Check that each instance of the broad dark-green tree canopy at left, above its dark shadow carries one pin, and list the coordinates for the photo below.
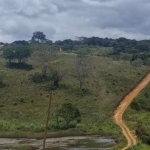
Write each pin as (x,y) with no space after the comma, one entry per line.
(20,53)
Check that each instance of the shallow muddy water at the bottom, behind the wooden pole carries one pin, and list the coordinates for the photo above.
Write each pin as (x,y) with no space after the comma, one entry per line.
(63,143)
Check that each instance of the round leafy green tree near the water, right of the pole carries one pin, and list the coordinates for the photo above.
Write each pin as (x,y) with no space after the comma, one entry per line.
(69,113)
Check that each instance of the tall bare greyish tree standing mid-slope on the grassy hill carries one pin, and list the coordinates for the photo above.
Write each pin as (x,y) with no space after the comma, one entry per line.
(82,68)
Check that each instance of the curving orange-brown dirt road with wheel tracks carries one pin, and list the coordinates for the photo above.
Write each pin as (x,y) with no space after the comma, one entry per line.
(131,139)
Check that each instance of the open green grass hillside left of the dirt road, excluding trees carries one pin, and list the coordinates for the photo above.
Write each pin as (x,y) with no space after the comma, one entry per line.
(23,104)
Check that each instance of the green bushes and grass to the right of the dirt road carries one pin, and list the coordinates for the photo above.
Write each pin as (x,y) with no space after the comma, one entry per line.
(137,117)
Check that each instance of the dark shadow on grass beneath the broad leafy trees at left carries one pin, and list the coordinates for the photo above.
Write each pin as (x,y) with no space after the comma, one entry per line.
(21,66)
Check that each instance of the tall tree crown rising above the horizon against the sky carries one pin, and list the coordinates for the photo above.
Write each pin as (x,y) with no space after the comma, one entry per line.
(39,37)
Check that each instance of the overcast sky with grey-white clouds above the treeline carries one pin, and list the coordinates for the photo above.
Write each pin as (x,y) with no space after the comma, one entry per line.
(68,19)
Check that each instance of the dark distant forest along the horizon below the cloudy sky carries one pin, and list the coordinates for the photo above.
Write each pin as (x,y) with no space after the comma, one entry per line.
(122,48)
